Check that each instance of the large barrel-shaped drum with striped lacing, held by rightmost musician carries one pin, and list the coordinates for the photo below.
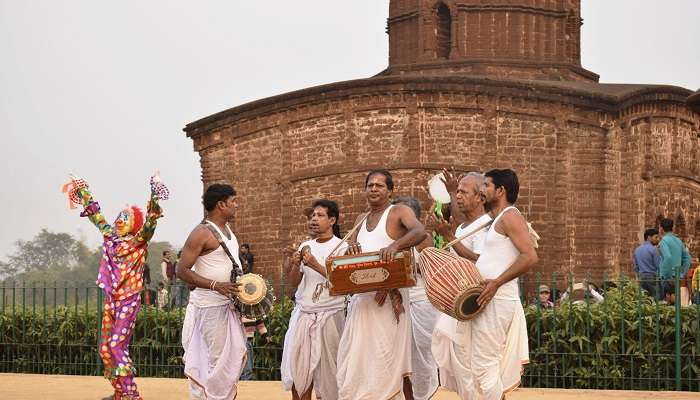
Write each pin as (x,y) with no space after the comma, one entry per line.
(452,283)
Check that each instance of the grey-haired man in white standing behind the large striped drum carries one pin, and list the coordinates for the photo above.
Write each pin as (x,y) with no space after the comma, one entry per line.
(449,335)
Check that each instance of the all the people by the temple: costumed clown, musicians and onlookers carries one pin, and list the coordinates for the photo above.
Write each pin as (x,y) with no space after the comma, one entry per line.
(387,344)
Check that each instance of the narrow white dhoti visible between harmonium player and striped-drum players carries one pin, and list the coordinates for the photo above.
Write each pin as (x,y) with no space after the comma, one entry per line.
(424,379)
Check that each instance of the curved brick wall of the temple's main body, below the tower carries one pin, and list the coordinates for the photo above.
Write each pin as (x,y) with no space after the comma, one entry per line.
(593,174)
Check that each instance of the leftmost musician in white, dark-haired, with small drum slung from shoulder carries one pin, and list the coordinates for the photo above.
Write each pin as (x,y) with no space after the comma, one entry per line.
(212,335)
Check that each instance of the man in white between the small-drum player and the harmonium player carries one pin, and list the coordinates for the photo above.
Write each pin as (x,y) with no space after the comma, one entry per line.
(313,348)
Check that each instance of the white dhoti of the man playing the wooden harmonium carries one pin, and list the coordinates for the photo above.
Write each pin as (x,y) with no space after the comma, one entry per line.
(375,351)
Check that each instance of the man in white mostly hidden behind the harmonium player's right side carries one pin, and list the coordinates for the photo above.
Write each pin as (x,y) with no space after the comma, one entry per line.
(424,380)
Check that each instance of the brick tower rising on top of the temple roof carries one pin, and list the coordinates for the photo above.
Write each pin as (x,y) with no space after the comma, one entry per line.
(536,39)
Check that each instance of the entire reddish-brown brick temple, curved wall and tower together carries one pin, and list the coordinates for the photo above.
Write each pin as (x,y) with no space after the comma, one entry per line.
(598,163)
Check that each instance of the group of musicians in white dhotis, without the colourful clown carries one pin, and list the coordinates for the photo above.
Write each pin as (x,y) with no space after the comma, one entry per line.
(378,345)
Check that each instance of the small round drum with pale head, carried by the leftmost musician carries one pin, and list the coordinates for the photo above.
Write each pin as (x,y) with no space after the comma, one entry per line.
(256,297)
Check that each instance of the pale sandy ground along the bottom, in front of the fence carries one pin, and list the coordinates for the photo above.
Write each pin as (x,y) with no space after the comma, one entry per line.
(65,387)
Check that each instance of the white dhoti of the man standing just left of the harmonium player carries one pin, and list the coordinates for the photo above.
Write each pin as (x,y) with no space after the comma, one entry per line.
(315,352)
